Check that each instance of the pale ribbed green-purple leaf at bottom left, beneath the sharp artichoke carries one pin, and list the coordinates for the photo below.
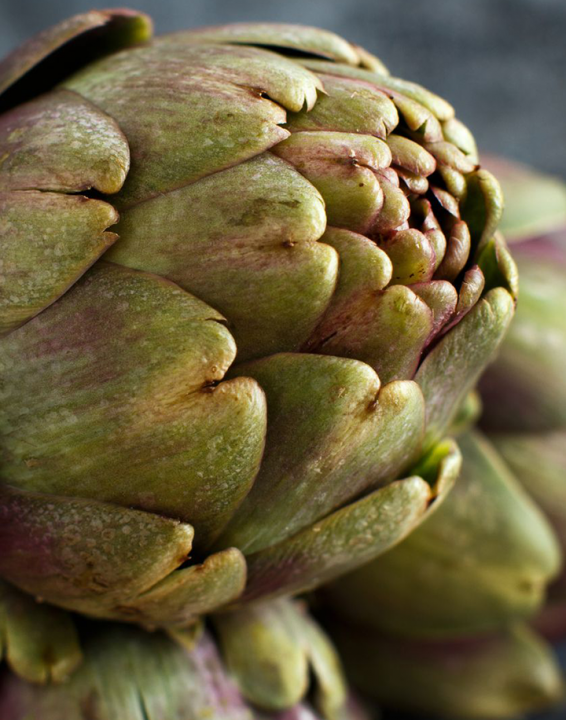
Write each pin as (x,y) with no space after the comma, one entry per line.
(134,675)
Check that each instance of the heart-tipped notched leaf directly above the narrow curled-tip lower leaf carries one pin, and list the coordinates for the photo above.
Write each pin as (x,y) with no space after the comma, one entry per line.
(333,433)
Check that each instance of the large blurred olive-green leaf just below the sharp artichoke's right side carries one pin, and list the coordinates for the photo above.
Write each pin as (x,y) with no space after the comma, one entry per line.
(481,561)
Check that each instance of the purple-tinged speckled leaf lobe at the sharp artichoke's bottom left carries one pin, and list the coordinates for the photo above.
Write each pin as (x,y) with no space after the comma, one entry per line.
(83,554)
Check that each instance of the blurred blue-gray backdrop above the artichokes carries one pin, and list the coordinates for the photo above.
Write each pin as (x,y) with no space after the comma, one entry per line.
(502,63)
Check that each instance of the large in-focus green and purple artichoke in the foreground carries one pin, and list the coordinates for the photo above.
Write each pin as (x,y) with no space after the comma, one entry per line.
(249,278)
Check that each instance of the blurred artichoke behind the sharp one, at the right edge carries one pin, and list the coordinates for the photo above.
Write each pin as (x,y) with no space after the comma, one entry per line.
(441,609)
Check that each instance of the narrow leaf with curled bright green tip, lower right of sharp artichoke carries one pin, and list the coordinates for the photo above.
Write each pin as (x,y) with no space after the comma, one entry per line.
(353,535)
